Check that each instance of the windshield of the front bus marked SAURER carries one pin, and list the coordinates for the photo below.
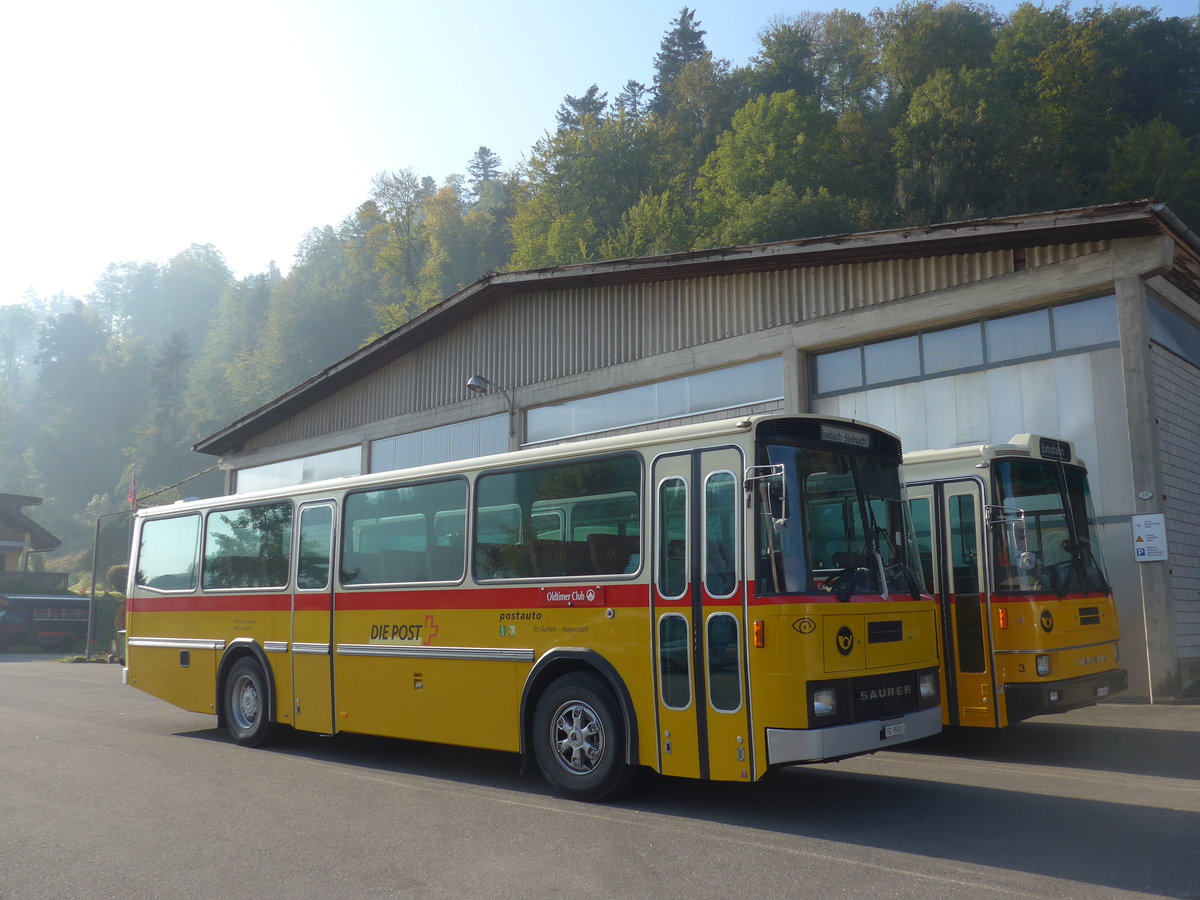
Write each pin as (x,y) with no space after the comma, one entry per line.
(844,529)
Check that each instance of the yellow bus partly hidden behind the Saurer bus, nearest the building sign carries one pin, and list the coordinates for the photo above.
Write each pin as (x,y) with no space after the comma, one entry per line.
(1009,536)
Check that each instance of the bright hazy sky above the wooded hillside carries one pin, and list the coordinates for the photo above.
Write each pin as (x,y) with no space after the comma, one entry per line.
(137,128)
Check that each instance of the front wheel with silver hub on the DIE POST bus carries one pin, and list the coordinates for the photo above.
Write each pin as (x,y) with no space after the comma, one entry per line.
(579,739)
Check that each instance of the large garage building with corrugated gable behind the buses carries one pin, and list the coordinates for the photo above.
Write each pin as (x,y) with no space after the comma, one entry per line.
(1082,325)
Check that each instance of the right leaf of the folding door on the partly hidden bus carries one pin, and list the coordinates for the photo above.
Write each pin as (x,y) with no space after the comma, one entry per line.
(975,700)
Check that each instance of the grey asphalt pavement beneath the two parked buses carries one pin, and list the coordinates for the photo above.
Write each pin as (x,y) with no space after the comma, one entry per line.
(109,793)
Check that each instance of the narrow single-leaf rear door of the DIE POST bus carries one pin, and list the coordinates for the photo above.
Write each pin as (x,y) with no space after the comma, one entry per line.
(313,673)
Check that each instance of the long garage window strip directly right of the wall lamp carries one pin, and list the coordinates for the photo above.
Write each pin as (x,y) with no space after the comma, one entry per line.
(758,382)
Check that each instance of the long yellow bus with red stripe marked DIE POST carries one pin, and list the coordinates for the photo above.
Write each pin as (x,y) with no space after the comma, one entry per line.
(706,602)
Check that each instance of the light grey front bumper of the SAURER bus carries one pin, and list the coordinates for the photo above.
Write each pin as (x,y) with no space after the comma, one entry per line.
(793,746)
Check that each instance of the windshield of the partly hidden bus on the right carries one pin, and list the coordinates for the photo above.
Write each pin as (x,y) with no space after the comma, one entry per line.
(1045,532)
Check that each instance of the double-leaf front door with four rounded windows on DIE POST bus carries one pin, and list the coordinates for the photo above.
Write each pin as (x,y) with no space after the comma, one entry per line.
(700,617)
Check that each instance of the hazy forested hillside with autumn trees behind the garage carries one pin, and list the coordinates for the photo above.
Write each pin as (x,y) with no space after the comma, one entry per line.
(927,112)
